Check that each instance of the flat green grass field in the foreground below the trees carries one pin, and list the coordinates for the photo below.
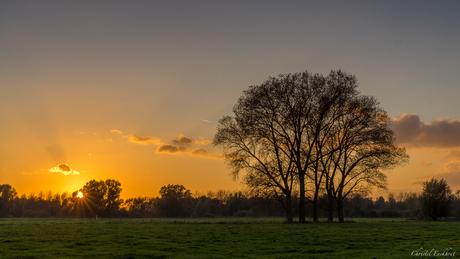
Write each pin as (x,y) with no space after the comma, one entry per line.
(224,238)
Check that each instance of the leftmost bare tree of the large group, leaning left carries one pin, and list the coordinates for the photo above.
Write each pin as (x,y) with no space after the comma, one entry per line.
(269,169)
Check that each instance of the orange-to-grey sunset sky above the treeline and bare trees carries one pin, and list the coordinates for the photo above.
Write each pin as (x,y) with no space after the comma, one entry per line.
(133,90)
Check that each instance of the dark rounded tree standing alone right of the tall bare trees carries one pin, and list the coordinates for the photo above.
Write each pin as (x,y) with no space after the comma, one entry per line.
(436,198)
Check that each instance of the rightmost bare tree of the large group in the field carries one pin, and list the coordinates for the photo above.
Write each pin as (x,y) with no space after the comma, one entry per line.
(361,147)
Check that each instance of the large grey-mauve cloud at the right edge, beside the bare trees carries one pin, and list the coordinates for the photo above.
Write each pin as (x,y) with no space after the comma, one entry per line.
(411,132)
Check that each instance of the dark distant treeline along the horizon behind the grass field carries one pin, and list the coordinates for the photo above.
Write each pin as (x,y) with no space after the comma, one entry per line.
(101,198)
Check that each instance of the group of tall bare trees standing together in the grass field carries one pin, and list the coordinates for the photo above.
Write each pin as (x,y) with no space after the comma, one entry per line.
(310,135)
